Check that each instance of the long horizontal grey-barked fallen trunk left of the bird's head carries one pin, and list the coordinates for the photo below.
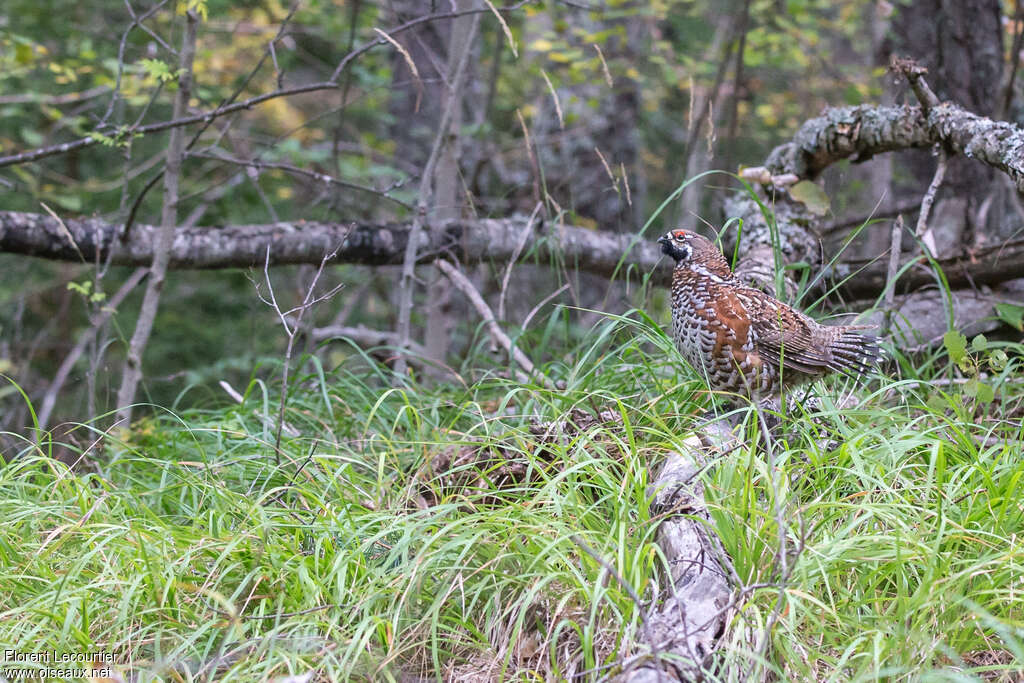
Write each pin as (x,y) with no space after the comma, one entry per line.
(370,244)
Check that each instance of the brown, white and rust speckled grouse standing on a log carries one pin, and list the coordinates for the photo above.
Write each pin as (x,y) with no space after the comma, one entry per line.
(744,341)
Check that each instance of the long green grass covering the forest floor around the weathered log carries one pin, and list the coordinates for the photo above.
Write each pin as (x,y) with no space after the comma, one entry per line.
(183,548)
